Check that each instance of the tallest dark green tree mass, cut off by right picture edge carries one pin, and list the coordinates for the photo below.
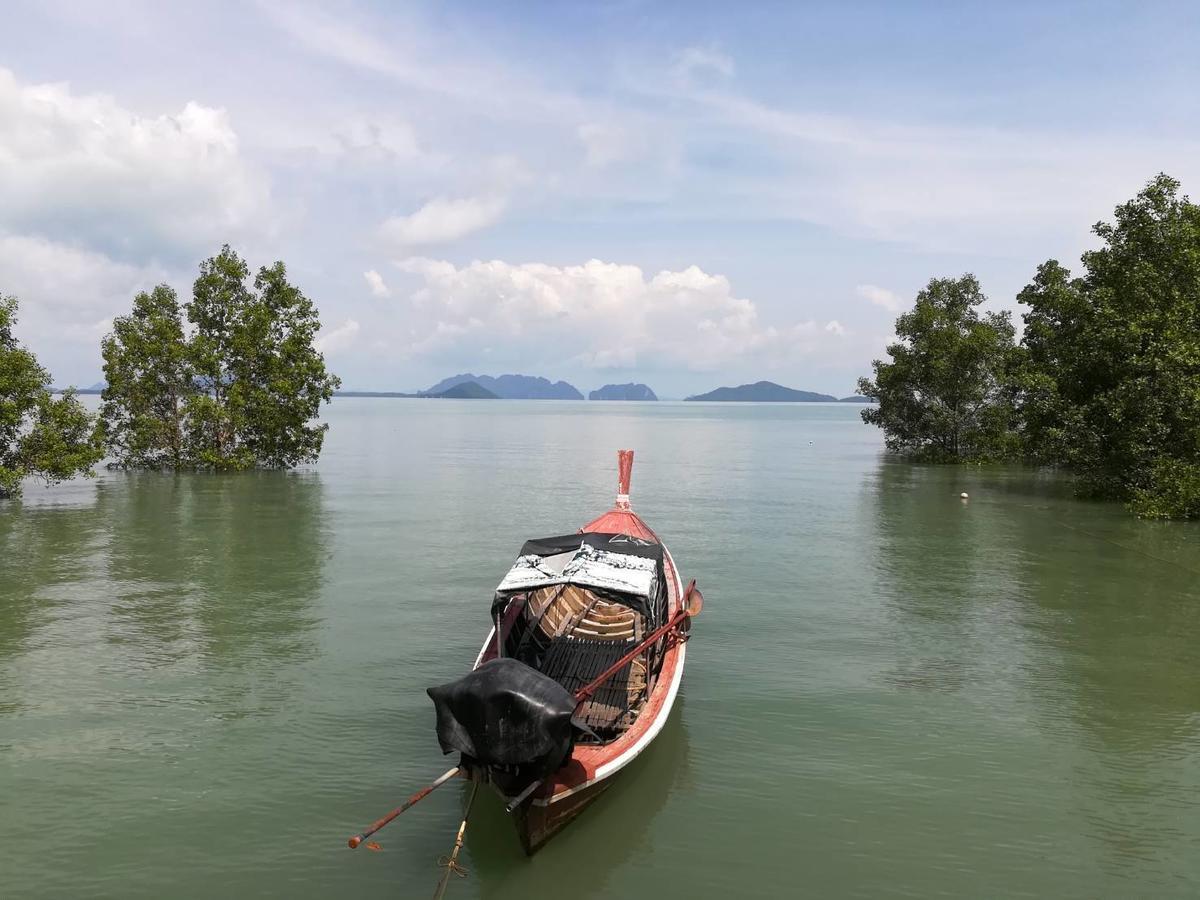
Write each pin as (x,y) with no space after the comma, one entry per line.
(1109,385)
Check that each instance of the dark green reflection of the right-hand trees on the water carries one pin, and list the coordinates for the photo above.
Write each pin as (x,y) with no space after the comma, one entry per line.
(1101,610)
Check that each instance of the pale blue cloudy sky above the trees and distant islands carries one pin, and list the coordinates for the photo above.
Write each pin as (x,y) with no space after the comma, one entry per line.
(686,195)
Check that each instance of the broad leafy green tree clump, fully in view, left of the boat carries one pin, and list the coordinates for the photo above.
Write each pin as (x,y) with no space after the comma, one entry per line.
(243,391)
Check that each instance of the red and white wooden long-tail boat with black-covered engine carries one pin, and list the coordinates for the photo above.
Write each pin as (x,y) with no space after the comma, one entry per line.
(603,614)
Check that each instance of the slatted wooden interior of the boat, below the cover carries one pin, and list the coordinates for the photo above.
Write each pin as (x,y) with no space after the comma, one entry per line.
(574,634)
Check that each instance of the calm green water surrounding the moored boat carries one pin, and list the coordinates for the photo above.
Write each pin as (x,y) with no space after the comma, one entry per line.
(207,683)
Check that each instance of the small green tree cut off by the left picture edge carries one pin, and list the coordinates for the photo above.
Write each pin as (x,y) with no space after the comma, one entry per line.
(40,436)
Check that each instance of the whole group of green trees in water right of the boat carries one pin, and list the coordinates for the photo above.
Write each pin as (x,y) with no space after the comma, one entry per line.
(1105,383)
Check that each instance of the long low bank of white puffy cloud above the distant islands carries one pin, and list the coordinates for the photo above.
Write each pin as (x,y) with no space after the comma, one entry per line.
(598,315)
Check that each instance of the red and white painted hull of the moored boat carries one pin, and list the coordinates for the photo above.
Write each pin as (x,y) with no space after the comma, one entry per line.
(591,769)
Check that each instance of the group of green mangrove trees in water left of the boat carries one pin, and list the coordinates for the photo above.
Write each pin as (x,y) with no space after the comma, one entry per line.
(238,387)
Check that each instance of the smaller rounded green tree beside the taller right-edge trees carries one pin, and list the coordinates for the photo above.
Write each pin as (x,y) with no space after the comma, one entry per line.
(944,397)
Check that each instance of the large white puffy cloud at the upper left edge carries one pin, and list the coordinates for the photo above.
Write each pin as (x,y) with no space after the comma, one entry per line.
(82,167)
